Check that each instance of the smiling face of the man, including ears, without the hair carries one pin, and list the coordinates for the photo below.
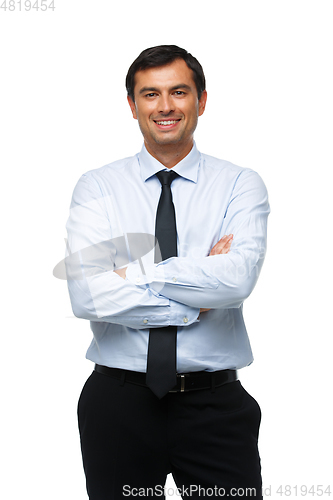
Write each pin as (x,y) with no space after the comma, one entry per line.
(167,106)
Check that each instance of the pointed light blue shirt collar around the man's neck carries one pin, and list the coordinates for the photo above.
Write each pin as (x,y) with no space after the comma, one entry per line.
(188,167)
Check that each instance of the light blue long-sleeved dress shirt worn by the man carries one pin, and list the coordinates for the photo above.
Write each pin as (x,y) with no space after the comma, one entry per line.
(212,198)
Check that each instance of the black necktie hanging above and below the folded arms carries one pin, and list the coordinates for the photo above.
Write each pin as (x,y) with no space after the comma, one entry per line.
(161,362)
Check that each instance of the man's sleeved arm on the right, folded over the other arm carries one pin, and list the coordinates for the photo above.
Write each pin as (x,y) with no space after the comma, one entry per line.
(222,280)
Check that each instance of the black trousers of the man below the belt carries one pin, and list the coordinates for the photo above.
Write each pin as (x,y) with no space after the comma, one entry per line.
(131,440)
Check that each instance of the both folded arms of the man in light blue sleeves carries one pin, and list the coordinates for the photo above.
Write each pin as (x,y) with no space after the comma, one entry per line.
(180,287)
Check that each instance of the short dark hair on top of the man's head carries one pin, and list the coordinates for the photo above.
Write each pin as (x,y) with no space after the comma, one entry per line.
(160,56)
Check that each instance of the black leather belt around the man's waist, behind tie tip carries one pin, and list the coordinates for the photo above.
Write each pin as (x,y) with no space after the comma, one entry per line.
(193,381)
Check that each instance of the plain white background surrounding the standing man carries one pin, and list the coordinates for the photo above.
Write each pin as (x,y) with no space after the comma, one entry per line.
(63,111)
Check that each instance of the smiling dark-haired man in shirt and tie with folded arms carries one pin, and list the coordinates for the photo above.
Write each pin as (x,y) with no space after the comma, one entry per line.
(176,307)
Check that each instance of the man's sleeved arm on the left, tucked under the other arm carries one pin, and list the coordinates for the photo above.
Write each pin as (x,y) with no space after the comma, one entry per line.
(100,294)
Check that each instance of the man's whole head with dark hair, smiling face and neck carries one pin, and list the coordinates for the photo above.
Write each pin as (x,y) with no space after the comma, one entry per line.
(166,93)
